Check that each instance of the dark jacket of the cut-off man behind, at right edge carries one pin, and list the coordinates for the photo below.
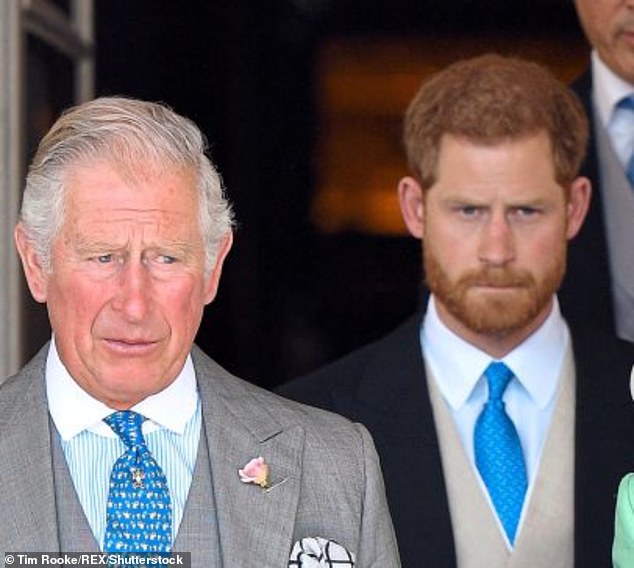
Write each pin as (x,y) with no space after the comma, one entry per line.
(586,293)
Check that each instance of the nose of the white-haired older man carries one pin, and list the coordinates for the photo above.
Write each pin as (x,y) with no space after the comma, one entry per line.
(133,296)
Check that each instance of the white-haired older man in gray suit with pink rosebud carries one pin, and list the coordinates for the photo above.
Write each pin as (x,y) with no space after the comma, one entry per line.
(122,436)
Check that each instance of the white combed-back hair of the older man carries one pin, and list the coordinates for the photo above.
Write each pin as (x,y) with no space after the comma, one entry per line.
(125,132)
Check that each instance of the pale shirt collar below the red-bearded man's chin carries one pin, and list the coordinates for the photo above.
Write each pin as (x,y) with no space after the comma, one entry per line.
(536,362)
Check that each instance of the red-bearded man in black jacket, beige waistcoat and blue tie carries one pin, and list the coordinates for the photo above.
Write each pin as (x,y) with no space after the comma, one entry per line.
(502,433)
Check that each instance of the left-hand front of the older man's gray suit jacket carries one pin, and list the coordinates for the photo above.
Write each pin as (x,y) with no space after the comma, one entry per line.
(27,499)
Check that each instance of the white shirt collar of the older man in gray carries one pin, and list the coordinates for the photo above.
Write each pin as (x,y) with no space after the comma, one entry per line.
(74,410)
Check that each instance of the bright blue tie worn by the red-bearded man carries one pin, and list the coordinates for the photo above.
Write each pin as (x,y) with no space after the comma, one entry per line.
(498,452)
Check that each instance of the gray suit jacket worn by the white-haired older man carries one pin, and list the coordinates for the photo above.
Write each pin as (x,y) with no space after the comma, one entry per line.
(333,486)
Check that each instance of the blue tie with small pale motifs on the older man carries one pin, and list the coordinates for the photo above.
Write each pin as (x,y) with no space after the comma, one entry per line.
(139,511)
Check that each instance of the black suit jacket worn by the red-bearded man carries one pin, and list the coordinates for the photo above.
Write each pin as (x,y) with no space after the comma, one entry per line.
(383,385)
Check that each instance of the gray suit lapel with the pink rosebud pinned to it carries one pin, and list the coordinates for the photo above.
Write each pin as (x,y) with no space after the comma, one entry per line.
(255,525)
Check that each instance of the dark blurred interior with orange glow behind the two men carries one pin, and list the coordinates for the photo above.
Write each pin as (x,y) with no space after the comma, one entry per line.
(302,102)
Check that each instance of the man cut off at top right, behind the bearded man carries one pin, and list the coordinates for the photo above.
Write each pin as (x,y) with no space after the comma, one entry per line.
(599,285)
